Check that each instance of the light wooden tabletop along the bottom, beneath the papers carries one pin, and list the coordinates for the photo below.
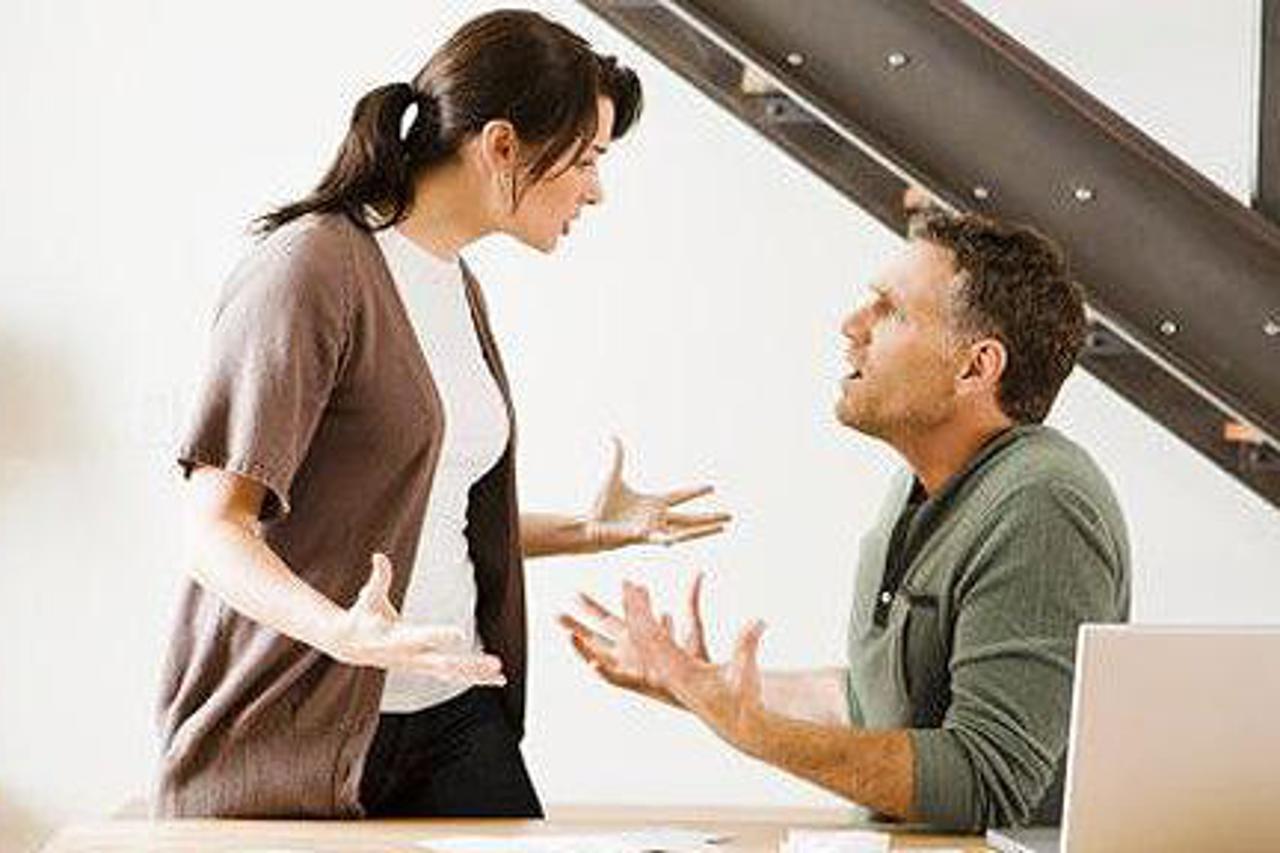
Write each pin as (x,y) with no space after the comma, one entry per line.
(753,831)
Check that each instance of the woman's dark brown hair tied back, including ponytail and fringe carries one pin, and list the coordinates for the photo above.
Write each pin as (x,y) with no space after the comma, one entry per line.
(514,66)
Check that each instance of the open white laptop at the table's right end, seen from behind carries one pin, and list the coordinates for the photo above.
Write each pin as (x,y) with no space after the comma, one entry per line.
(1174,746)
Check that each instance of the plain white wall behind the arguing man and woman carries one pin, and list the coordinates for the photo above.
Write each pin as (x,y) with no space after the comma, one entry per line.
(696,314)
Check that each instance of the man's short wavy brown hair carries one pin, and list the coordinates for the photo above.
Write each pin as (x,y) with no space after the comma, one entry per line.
(1012,285)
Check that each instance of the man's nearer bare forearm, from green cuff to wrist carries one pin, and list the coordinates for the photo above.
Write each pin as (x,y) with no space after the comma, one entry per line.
(871,768)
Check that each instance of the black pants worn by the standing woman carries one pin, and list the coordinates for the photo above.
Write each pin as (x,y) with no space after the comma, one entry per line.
(455,760)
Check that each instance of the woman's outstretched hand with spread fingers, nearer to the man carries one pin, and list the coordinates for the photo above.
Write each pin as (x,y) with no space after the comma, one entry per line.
(624,517)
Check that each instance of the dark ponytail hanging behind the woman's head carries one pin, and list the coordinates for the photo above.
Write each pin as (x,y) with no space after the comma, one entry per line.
(377,166)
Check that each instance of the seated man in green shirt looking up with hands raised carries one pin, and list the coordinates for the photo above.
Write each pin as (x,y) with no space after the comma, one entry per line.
(1000,540)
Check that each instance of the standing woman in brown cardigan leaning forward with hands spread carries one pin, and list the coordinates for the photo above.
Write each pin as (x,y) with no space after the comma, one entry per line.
(356,410)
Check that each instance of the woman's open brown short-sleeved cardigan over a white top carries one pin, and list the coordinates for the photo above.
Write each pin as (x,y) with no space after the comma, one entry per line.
(318,390)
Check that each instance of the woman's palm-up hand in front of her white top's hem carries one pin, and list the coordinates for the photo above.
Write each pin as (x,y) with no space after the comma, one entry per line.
(372,633)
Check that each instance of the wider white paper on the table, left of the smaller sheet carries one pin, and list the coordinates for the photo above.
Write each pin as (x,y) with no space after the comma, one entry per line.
(650,841)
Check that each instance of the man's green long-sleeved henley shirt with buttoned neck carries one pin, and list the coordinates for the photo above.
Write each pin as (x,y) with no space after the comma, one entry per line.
(973,646)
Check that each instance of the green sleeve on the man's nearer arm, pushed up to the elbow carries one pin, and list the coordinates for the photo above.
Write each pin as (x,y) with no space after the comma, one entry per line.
(1048,563)
